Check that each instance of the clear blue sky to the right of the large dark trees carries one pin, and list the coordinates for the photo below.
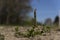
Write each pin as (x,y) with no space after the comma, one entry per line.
(46,9)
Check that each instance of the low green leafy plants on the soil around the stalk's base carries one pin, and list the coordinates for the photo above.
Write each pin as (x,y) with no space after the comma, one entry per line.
(29,33)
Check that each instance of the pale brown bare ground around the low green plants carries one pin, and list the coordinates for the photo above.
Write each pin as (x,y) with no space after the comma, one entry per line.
(8,32)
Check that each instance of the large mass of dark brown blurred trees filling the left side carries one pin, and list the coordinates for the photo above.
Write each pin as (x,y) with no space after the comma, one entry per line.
(14,11)
